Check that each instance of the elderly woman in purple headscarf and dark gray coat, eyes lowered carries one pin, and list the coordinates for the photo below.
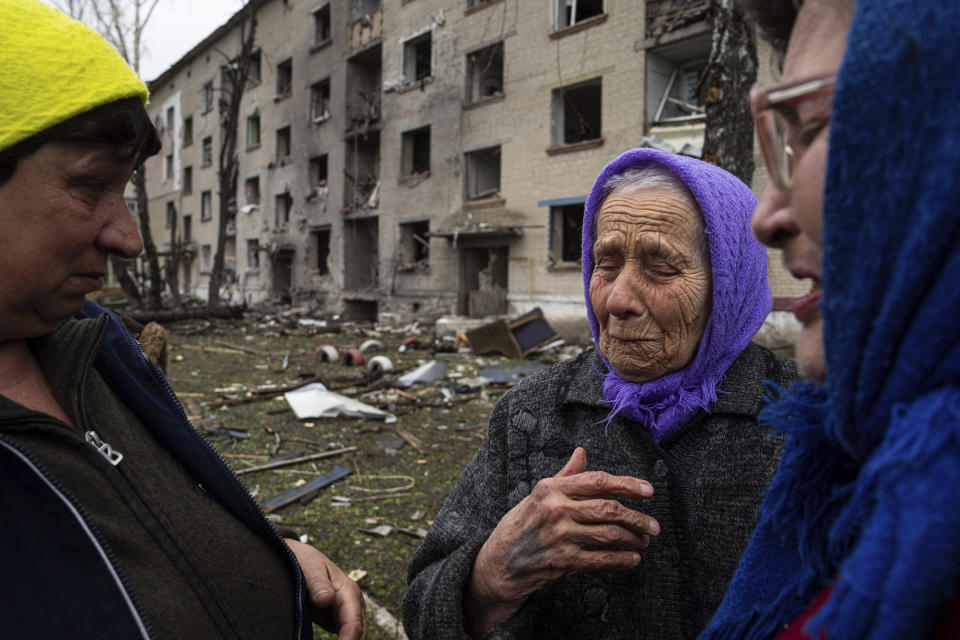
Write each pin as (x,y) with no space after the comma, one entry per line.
(530,544)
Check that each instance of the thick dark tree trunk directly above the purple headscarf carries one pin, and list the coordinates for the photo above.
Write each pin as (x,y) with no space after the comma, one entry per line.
(729,74)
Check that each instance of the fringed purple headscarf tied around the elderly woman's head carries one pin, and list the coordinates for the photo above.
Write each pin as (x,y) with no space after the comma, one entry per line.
(741,296)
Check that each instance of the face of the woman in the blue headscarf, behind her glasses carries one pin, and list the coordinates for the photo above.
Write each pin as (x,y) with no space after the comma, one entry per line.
(793,222)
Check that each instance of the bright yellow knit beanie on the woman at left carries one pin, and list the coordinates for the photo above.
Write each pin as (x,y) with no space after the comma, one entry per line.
(53,68)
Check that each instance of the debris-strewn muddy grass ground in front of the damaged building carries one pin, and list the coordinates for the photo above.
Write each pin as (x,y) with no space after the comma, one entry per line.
(394,481)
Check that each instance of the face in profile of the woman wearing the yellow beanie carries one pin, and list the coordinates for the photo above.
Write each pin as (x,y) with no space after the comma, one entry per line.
(62,212)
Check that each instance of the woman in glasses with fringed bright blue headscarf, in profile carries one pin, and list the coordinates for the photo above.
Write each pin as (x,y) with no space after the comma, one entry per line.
(859,535)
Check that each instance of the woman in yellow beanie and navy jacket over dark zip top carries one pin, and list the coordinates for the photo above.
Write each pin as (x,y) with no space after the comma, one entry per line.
(119,520)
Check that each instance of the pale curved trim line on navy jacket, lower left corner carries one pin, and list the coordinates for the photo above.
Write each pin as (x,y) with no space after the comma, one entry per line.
(91,531)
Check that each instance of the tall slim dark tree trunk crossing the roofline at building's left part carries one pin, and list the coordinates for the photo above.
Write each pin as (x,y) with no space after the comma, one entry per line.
(234,78)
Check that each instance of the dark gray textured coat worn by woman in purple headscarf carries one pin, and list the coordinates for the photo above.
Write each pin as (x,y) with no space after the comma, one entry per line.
(708,479)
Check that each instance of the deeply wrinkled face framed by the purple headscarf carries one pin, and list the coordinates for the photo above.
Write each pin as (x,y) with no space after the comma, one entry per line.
(651,283)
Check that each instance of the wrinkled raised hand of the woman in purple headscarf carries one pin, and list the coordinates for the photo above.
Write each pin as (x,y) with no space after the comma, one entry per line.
(563,527)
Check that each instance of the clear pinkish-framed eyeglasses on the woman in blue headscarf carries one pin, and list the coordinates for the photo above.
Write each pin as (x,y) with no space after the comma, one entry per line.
(773,118)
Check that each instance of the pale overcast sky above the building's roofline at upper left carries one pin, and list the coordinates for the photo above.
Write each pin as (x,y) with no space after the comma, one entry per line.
(175,27)
